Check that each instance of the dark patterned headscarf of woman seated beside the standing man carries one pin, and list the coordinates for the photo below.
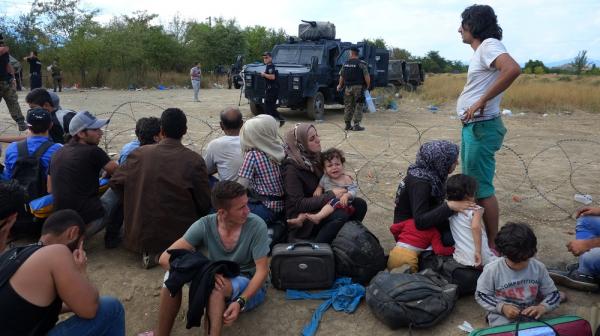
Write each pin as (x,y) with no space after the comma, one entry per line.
(433,164)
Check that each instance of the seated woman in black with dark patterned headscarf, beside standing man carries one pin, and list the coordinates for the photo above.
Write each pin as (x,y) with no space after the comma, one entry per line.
(422,197)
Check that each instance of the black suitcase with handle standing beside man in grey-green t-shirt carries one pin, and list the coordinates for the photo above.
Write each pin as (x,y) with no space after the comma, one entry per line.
(302,266)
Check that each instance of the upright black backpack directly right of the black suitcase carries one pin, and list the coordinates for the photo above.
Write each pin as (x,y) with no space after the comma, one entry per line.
(358,253)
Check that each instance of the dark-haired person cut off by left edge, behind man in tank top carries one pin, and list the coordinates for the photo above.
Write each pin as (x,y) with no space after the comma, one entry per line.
(12,198)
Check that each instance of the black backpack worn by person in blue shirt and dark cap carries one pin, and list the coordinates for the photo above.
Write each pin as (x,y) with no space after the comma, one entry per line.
(29,171)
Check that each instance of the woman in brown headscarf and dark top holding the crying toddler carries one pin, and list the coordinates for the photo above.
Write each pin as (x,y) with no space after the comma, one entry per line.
(302,170)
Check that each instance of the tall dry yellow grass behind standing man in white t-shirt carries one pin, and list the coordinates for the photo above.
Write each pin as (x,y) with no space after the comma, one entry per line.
(534,93)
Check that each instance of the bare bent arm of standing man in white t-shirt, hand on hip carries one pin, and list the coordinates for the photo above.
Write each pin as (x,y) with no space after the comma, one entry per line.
(509,71)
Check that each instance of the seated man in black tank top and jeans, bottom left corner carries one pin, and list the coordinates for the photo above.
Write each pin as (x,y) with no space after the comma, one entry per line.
(49,278)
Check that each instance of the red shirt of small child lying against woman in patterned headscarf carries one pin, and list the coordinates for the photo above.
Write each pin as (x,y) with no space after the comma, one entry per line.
(406,232)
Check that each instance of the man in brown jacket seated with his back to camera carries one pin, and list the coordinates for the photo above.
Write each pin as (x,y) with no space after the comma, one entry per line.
(160,206)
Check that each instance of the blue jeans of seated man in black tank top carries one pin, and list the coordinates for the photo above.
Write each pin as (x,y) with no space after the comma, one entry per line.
(109,321)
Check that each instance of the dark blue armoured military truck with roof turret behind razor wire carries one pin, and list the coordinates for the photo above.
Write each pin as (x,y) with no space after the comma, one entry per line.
(308,70)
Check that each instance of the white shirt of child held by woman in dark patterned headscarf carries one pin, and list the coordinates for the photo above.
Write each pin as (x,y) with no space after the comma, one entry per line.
(464,245)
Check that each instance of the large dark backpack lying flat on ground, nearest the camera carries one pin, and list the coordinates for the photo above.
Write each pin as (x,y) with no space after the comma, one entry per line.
(416,300)
